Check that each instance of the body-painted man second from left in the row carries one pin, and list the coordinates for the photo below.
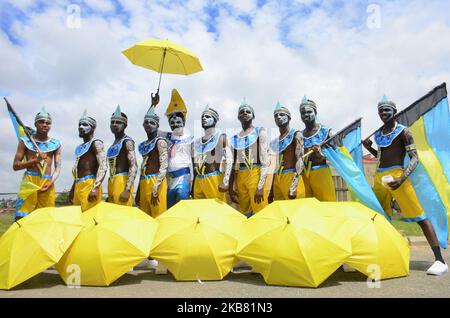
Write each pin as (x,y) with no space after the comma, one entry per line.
(90,166)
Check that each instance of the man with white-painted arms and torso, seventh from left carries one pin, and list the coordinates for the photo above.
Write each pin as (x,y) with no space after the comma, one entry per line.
(250,164)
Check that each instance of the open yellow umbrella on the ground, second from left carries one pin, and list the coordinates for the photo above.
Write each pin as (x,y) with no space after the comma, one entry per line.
(114,239)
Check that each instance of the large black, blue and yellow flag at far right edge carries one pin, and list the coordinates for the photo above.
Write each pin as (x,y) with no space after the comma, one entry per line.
(429,121)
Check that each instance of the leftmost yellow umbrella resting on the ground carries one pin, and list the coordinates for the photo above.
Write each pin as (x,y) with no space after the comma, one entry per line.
(36,242)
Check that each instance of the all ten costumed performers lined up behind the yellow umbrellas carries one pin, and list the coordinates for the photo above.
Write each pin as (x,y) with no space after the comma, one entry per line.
(175,166)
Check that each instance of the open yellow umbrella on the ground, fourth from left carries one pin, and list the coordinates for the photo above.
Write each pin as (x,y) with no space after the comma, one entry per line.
(290,244)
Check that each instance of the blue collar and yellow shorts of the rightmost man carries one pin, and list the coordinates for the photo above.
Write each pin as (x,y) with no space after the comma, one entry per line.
(405,195)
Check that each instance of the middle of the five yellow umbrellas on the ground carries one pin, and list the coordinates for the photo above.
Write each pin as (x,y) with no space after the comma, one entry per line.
(197,239)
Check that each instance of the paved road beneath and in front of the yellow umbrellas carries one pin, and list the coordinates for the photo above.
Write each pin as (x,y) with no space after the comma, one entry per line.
(340,284)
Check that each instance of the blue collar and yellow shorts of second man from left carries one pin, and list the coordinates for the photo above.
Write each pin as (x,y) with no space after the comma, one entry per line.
(84,185)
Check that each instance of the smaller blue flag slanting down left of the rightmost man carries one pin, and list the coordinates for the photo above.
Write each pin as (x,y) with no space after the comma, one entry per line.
(344,152)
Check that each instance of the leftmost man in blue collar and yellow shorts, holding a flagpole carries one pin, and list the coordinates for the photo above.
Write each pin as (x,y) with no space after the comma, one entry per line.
(38,166)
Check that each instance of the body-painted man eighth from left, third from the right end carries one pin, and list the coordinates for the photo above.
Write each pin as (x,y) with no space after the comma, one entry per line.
(288,147)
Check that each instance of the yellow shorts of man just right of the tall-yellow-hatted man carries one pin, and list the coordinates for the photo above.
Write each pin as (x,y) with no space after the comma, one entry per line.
(207,186)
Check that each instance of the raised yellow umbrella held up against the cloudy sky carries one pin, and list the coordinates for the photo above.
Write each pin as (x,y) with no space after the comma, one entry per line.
(163,56)
